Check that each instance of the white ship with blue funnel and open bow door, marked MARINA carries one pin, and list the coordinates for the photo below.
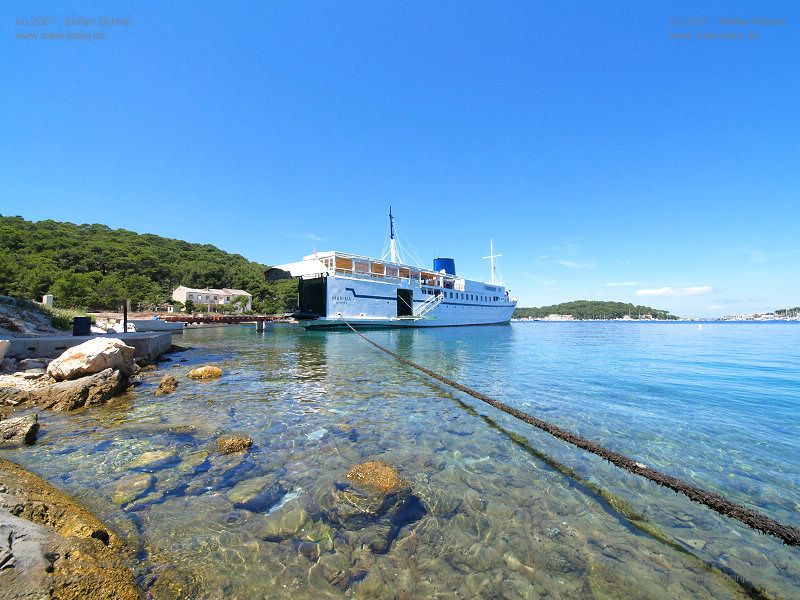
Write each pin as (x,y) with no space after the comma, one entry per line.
(336,288)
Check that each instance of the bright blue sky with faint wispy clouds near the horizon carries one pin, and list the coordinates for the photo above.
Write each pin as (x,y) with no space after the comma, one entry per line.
(606,159)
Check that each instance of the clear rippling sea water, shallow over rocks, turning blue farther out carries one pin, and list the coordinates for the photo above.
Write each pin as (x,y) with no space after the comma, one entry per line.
(502,510)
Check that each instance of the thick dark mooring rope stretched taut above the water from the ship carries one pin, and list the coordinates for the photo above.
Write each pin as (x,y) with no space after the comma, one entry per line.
(786,533)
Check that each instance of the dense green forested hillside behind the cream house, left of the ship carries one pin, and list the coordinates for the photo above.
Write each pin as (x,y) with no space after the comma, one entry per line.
(96,267)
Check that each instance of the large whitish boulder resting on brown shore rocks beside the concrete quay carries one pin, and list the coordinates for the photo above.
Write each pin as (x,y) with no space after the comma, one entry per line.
(93,356)
